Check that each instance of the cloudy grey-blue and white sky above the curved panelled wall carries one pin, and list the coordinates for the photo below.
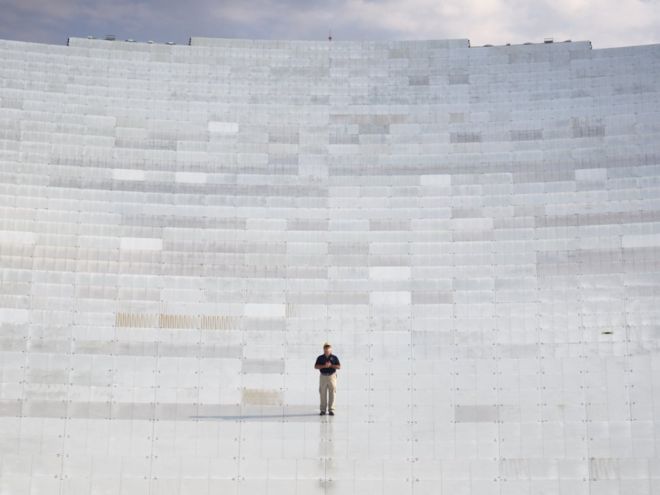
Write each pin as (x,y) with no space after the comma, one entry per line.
(604,22)
